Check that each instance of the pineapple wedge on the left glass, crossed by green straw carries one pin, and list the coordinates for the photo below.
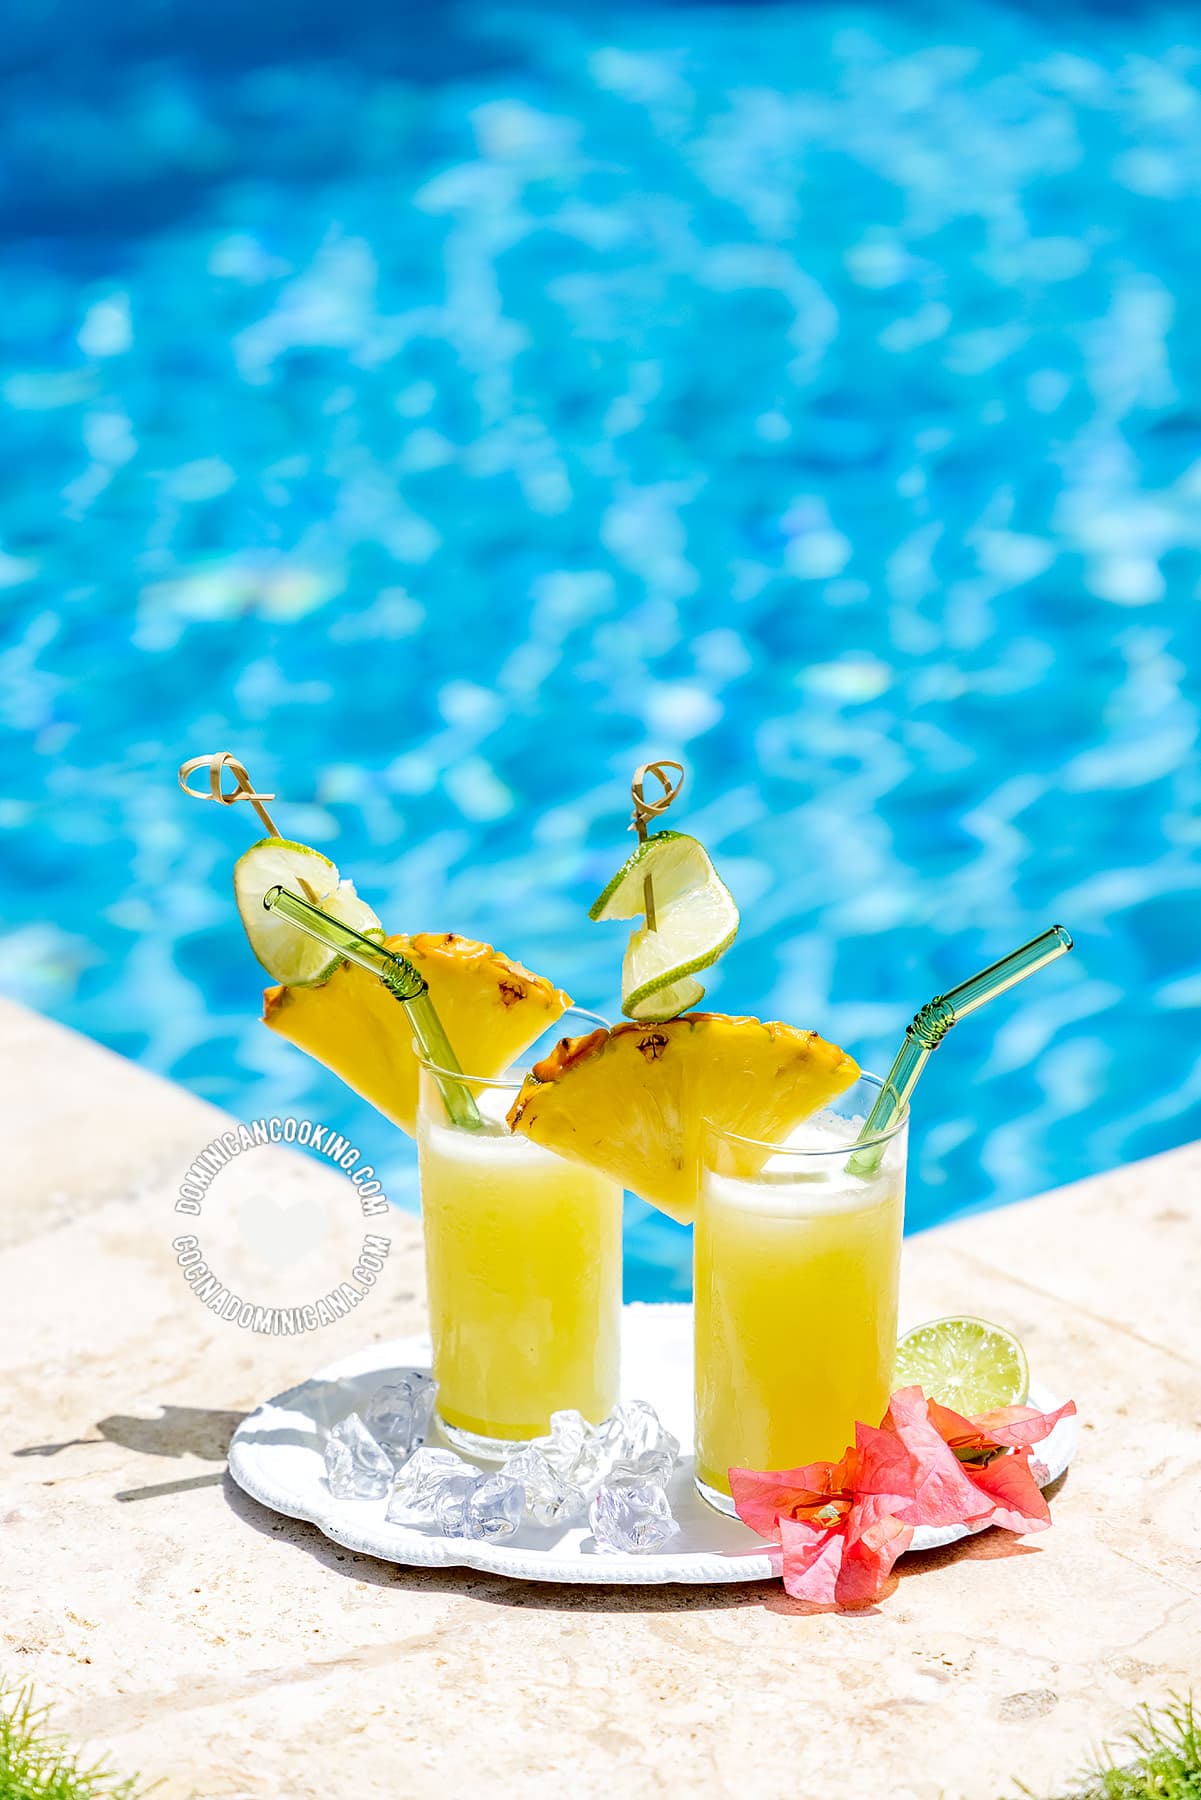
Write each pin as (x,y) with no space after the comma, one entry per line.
(492,1011)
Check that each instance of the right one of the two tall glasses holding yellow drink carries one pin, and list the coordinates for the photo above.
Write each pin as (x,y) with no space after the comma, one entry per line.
(797,1275)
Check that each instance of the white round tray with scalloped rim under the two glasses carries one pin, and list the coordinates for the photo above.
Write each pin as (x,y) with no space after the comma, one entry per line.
(276,1455)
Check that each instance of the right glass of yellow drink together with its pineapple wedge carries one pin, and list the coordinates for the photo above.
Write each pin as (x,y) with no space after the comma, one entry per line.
(797,1264)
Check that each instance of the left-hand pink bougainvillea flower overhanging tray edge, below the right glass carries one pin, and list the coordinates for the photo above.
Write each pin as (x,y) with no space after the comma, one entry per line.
(836,1524)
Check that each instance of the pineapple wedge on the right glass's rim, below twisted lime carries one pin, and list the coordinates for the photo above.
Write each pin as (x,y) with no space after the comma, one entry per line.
(631,1101)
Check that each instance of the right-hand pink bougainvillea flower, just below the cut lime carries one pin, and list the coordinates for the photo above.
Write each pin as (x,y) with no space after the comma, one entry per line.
(953,1486)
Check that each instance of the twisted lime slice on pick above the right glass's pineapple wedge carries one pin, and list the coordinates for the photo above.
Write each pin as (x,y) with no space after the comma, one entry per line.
(696,921)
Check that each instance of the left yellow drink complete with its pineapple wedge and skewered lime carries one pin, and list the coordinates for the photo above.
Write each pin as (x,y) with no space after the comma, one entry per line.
(523,1248)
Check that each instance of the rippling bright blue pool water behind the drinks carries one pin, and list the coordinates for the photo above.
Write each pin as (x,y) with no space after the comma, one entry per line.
(449,420)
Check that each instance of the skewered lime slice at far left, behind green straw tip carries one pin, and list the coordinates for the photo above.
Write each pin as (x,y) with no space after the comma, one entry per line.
(285,953)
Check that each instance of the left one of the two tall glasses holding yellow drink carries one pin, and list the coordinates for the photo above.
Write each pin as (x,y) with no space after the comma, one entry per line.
(523,1257)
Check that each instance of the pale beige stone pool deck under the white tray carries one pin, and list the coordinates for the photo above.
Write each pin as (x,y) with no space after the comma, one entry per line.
(190,1635)
